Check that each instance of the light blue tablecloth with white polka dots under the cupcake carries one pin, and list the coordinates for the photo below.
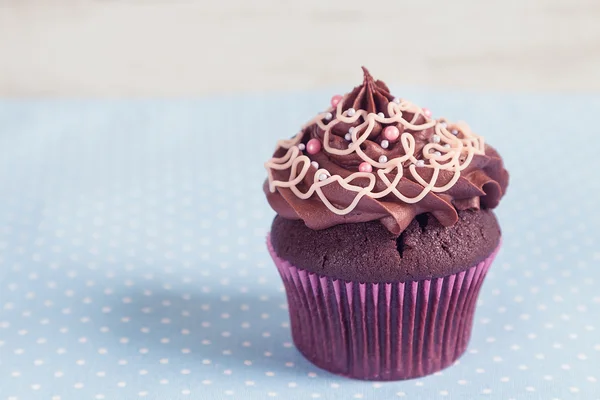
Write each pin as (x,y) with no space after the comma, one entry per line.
(133,260)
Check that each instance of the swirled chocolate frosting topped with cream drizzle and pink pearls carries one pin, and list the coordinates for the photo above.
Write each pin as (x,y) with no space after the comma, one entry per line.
(372,156)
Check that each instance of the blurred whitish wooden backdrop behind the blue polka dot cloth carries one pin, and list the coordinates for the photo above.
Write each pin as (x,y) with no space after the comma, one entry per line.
(171,47)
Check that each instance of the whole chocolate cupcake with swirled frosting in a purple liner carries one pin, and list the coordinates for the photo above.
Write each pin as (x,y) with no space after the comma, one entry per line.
(384,234)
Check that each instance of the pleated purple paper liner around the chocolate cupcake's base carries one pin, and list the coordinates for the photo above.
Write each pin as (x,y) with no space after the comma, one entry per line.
(381,331)
